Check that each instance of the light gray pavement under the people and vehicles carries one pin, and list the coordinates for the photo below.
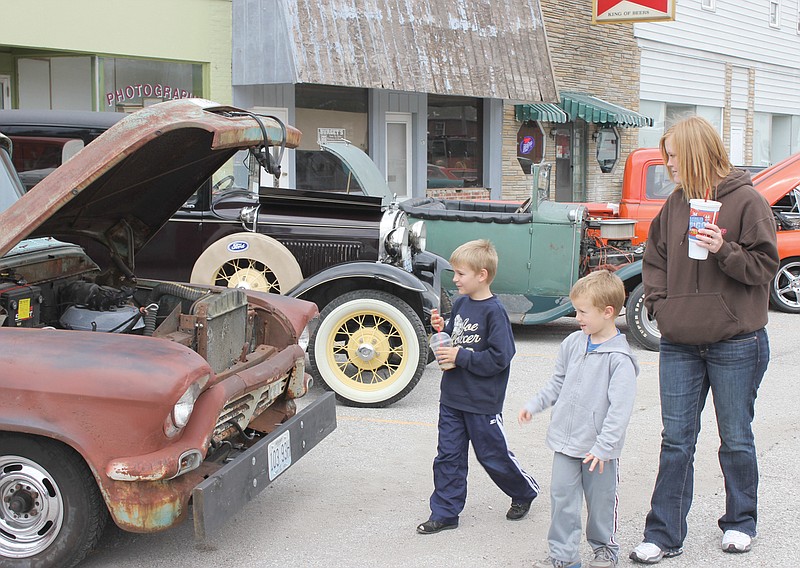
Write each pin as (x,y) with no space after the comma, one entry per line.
(356,499)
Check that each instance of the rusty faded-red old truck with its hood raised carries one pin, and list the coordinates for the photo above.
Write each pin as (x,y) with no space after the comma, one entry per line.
(125,397)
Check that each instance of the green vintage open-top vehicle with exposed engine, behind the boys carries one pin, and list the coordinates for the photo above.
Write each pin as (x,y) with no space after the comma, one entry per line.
(543,247)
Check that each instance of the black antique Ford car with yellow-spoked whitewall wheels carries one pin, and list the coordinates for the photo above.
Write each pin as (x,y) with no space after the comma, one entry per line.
(348,249)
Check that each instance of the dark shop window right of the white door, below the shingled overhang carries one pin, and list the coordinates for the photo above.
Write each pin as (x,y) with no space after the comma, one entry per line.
(454,140)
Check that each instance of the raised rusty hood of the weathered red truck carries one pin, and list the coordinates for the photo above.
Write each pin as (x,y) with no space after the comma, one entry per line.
(125,185)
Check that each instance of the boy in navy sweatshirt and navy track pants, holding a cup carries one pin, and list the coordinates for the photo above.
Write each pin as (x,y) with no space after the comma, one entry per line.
(472,393)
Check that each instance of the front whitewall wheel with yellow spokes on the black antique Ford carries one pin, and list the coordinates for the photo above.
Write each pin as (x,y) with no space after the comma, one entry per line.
(370,348)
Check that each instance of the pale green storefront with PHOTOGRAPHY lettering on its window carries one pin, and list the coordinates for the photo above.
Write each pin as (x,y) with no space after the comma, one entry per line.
(91,64)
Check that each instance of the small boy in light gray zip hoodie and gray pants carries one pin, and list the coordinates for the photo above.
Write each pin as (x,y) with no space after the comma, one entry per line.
(592,390)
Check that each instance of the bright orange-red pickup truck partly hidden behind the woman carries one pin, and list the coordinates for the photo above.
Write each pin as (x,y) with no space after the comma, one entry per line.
(646,185)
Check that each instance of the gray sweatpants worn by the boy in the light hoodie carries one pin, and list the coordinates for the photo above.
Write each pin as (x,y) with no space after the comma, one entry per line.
(570,482)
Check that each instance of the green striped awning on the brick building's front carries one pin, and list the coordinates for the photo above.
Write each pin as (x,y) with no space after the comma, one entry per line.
(586,107)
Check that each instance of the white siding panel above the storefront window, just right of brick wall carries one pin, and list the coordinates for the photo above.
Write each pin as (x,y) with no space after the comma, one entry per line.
(671,77)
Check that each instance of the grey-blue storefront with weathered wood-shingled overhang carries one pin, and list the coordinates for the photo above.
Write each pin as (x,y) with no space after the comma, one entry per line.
(424,97)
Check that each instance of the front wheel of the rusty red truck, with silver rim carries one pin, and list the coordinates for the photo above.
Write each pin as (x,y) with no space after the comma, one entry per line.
(51,511)
